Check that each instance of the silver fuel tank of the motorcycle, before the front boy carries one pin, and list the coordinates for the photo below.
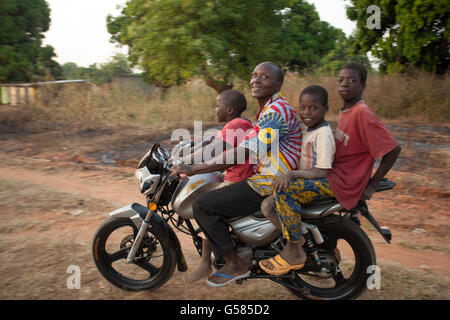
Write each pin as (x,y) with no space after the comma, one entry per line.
(190,189)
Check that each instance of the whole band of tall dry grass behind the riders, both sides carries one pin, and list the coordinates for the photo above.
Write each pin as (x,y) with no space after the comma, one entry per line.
(391,96)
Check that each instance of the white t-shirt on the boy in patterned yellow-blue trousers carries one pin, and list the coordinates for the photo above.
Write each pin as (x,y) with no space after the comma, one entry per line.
(318,148)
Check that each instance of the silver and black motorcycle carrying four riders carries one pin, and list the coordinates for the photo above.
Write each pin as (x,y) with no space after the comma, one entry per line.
(137,249)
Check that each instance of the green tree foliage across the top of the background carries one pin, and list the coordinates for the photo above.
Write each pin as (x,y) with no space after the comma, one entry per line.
(221,41)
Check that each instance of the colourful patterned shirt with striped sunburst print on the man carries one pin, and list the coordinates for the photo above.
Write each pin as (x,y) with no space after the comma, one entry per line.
(275,142)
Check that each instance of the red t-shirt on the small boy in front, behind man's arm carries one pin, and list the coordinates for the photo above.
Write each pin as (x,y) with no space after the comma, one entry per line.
(233,133)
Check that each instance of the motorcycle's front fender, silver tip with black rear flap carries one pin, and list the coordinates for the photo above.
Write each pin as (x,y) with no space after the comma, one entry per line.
(137,214)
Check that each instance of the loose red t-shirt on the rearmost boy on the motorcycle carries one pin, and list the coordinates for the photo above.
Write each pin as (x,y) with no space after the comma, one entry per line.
(360,138)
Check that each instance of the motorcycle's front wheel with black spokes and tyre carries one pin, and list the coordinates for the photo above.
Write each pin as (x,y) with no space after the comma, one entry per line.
(155,260)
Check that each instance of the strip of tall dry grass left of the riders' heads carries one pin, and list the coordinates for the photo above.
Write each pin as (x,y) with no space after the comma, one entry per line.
(115,105)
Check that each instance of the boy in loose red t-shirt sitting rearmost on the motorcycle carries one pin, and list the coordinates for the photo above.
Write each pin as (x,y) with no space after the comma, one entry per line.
(360,138)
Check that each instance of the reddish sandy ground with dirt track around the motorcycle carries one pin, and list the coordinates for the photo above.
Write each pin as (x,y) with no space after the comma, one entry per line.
(49,173)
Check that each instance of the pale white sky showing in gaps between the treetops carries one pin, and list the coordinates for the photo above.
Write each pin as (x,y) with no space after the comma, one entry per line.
(78,28)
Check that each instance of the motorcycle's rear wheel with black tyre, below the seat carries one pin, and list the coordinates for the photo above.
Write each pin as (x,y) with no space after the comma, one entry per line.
(347,284)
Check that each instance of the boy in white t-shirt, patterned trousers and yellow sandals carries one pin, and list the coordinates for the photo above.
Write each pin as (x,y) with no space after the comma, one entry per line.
(298,187)
